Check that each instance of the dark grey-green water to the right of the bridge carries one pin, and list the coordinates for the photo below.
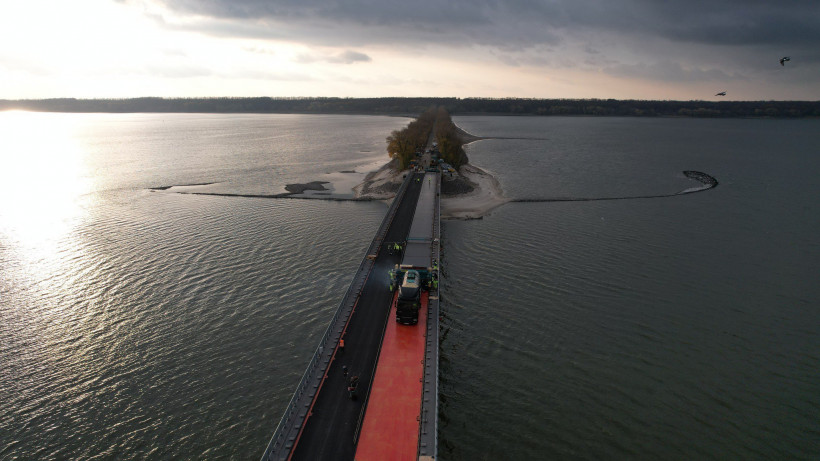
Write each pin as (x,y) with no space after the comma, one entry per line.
(675,328)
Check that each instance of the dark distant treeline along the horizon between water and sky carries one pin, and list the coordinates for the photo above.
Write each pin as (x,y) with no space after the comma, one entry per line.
(413,106)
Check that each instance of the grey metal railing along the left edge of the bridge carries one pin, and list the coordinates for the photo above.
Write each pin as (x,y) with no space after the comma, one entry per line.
(295,415)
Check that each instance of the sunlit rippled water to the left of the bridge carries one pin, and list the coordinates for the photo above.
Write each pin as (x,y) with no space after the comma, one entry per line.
(139,324)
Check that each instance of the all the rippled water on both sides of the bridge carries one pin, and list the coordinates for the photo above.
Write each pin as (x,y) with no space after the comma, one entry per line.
(149,324)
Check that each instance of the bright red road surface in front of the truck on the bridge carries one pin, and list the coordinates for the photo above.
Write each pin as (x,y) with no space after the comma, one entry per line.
(391,424)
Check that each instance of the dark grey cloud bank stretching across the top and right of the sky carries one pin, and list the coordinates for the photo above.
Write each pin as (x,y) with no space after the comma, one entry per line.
(670,40)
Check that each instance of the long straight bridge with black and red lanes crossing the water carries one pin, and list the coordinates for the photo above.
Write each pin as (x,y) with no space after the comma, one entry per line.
(394,414)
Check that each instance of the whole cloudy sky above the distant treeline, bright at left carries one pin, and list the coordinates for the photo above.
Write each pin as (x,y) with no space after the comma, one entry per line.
(621,49)
